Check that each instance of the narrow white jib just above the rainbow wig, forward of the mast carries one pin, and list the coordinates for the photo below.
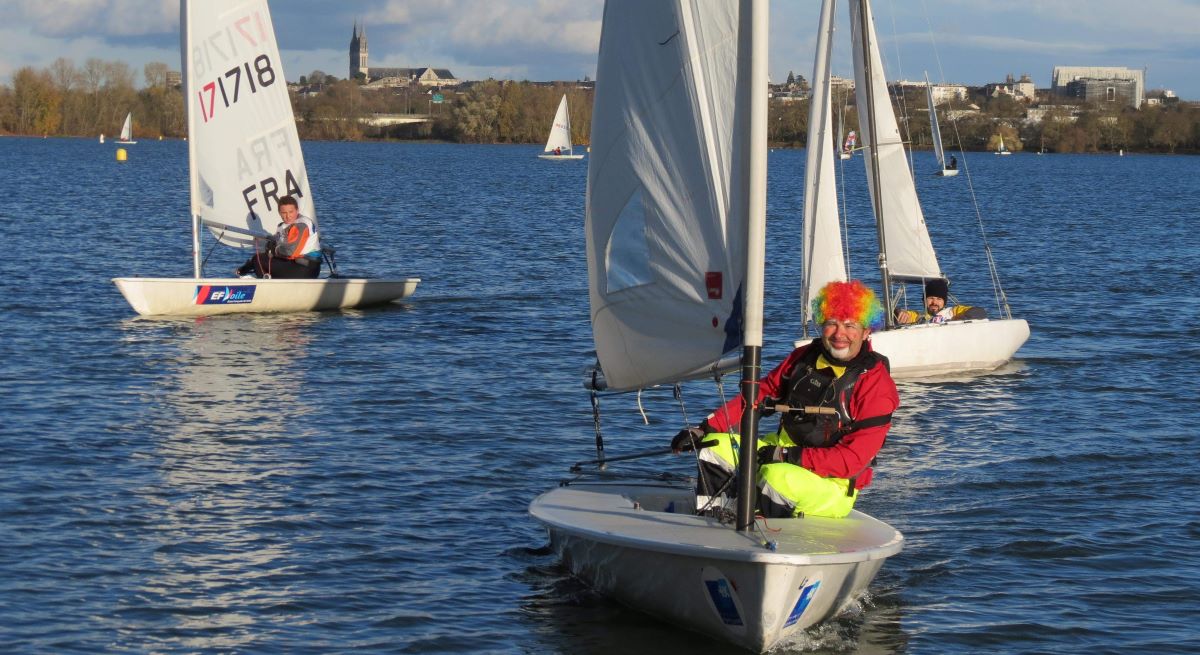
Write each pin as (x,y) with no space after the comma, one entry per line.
(824,260)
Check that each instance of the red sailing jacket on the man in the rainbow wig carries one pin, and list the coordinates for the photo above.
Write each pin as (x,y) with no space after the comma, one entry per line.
(874,395)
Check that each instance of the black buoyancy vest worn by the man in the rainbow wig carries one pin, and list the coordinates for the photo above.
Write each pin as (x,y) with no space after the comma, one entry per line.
(806,386)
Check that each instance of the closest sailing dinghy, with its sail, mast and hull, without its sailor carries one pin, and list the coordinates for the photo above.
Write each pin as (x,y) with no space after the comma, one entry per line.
(676,233)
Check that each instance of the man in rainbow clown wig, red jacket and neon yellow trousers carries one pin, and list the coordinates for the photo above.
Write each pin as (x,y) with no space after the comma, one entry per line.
(836,400)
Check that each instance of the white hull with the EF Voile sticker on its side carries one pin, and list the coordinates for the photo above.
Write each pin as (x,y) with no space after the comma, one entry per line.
(209,297)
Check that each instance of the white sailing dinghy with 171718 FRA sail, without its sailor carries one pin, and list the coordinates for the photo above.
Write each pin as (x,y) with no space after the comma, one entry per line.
(244,154)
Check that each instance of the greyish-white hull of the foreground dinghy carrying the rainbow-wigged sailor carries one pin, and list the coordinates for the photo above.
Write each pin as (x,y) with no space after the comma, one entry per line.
(701,575)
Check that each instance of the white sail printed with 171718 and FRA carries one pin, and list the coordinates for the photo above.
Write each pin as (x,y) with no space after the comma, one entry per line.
(244,148)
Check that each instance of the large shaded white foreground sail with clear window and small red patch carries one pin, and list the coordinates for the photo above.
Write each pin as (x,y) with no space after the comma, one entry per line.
(665,242)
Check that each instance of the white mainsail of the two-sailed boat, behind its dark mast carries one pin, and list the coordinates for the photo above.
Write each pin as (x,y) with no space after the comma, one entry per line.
(907,245)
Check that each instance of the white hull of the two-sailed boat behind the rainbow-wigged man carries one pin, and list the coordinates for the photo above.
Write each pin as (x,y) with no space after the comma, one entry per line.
(956,347)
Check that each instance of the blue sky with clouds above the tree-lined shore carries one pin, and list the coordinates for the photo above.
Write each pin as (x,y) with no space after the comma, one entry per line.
(957,41)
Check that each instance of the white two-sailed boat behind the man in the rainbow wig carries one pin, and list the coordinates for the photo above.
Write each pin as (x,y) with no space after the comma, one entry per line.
(905,250)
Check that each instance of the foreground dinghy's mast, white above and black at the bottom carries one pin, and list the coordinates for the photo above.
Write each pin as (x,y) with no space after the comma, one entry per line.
(753,94)
